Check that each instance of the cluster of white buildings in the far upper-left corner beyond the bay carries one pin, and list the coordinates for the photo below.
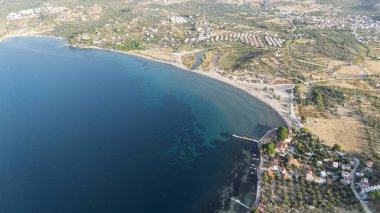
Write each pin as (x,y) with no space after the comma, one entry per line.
(34,12)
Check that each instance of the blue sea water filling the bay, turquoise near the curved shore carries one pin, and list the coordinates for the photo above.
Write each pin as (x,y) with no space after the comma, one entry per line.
(95,131)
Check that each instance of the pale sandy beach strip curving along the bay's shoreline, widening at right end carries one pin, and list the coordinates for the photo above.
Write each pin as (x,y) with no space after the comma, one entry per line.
(281,107)
